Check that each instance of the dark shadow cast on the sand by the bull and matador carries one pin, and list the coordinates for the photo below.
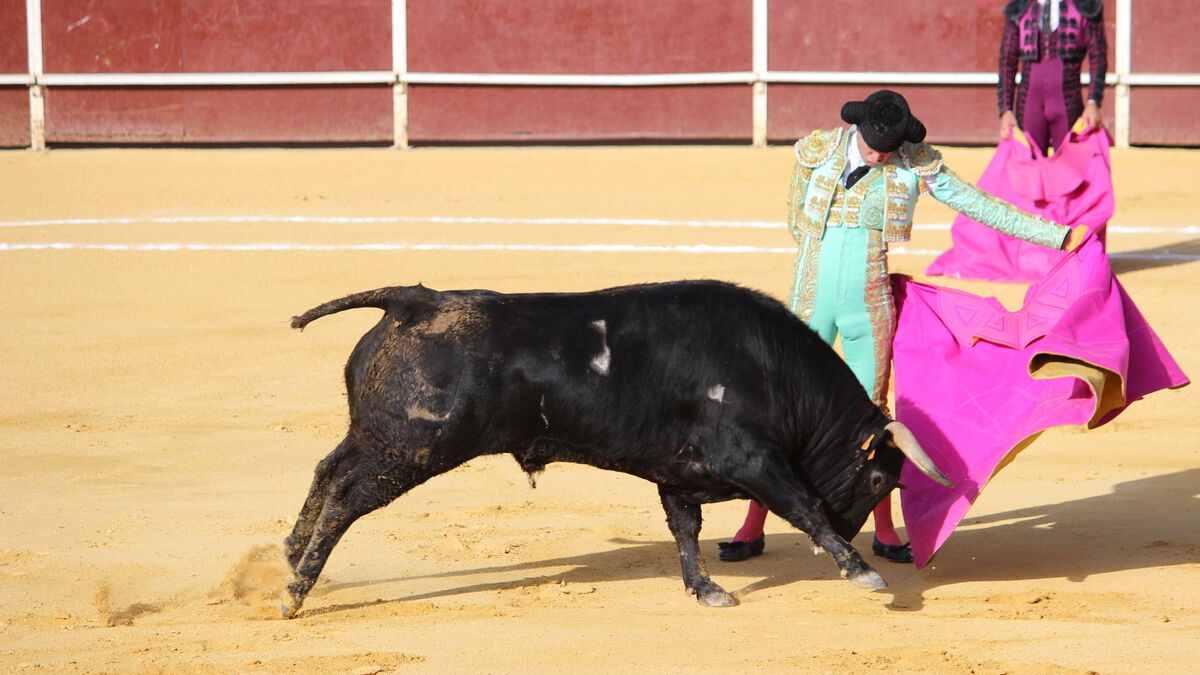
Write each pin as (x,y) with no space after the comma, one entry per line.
(1151,522)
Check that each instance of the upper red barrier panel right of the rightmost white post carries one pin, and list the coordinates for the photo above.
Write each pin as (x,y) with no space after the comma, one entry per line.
(1165,38)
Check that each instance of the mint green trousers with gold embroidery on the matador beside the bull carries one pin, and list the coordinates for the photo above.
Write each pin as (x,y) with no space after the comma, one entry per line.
(842,289)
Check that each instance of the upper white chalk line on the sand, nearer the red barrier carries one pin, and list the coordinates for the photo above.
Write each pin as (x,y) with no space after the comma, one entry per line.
(453,220)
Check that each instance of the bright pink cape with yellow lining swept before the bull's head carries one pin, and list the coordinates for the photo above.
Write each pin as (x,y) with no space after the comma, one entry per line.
(977,384)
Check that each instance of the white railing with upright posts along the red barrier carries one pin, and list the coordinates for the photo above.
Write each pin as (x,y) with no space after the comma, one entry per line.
(400,79)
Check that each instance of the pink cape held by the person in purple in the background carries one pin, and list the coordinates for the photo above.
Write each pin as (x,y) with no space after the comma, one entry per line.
(1073,187)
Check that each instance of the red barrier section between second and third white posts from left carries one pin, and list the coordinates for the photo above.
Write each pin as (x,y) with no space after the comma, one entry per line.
(581,38)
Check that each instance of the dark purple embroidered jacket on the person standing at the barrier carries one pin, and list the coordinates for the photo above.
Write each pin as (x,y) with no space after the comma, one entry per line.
(1081,33)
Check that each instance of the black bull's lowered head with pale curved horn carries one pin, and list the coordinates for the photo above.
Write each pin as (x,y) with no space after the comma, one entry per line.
(881,457)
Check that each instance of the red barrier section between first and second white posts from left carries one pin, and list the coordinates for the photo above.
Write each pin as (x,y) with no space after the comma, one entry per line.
(103,37)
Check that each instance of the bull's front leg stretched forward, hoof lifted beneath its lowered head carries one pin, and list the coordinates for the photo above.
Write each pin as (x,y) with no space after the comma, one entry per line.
(776,487)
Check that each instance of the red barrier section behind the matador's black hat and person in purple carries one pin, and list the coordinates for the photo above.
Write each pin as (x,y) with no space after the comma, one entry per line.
(919,37)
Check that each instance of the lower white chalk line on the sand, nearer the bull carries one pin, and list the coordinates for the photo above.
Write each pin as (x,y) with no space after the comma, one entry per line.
(512,248)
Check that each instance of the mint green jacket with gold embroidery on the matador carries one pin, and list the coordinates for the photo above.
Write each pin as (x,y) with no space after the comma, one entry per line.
(885,199)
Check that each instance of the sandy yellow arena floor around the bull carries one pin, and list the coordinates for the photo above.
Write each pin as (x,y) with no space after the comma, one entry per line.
(160,423)
